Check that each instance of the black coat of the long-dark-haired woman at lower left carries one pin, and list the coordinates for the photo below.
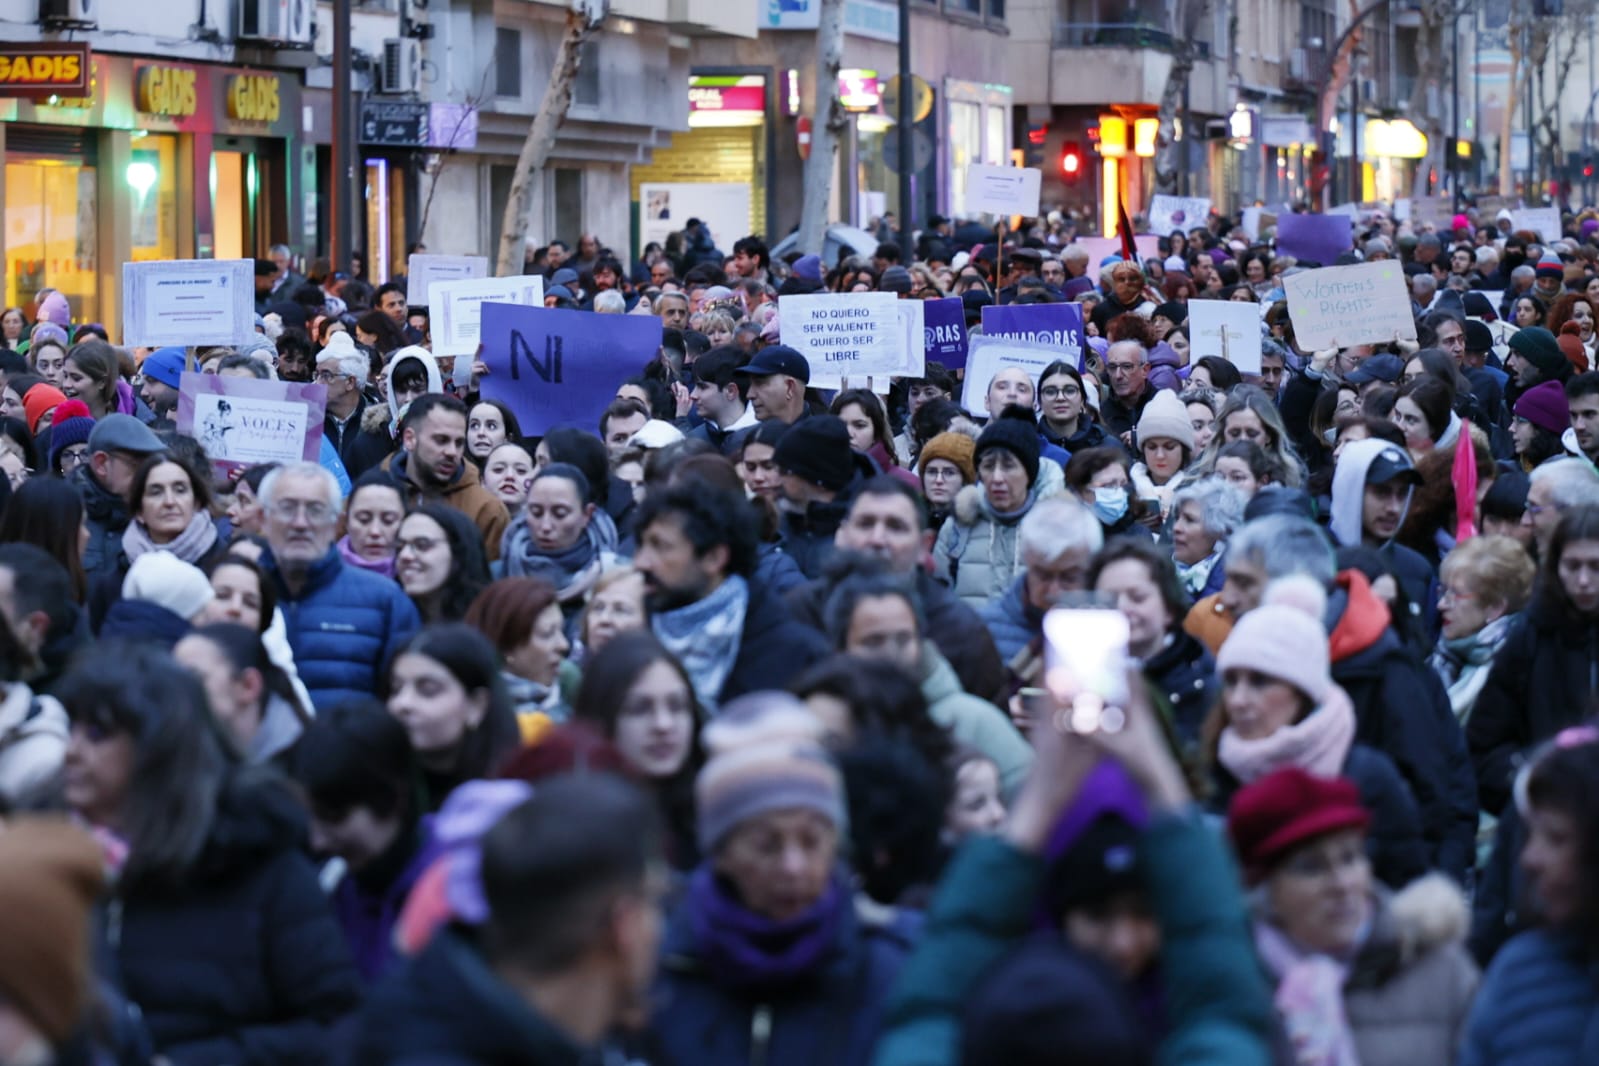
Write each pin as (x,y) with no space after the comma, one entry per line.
(242,961)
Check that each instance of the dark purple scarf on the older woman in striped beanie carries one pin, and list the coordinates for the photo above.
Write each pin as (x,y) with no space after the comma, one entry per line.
(751,953)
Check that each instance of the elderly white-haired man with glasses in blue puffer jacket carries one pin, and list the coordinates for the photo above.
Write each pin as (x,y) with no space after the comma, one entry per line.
(343,624)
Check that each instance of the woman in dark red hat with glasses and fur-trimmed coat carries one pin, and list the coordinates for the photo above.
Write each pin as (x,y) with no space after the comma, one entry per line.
(1362,976)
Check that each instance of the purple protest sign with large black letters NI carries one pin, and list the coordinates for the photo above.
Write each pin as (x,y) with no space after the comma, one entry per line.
(559,367)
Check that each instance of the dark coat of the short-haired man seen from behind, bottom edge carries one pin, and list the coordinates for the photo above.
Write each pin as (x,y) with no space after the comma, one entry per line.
(447,1008)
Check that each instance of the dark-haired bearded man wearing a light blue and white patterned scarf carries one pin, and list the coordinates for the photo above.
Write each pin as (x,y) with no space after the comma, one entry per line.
(696,551)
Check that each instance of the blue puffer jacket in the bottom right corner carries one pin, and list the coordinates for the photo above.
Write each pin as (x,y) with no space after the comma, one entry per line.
(1539,1004)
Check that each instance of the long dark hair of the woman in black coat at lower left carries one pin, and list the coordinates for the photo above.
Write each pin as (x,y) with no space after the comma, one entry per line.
(181,758)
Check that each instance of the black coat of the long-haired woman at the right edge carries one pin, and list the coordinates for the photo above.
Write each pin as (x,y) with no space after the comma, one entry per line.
(1544,678)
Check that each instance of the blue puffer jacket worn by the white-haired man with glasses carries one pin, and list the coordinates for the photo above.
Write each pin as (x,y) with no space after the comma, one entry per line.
(345,627)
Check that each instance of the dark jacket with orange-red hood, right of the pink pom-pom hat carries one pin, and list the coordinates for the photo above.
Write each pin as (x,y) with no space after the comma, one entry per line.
(1403,710)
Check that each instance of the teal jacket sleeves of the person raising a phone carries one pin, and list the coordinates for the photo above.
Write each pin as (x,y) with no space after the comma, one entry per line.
(1218,1000)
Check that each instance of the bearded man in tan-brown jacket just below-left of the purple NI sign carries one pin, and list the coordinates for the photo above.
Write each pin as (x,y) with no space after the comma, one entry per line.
(433,466)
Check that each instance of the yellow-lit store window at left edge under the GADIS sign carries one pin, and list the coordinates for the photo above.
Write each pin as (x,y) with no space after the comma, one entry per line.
(50,218)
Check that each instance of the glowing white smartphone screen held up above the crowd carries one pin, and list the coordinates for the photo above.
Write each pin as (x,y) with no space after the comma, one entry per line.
(1087,666)
